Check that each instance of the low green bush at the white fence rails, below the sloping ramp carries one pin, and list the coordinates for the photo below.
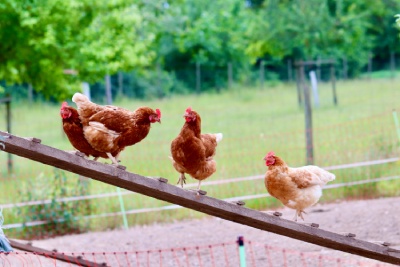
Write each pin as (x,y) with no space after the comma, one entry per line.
(59,215)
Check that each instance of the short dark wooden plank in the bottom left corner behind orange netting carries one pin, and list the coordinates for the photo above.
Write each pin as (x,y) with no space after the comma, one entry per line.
(55,255)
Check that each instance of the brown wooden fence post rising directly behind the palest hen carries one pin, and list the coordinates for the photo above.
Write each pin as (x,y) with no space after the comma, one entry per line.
(308,119)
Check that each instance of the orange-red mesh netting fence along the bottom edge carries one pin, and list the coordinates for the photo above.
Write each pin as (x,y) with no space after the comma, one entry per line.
(215,255)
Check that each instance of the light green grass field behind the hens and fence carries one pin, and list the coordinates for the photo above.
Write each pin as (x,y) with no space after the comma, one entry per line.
(253,122)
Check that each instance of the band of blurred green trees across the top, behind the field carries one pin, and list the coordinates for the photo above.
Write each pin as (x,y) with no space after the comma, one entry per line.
(163,40)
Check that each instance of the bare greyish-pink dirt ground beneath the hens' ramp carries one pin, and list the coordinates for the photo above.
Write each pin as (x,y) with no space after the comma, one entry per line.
(370,220)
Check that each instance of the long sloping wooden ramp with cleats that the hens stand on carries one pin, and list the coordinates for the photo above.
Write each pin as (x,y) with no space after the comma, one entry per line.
(174,194)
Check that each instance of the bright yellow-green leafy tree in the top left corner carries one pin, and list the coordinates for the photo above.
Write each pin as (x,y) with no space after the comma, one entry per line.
(40,39)
